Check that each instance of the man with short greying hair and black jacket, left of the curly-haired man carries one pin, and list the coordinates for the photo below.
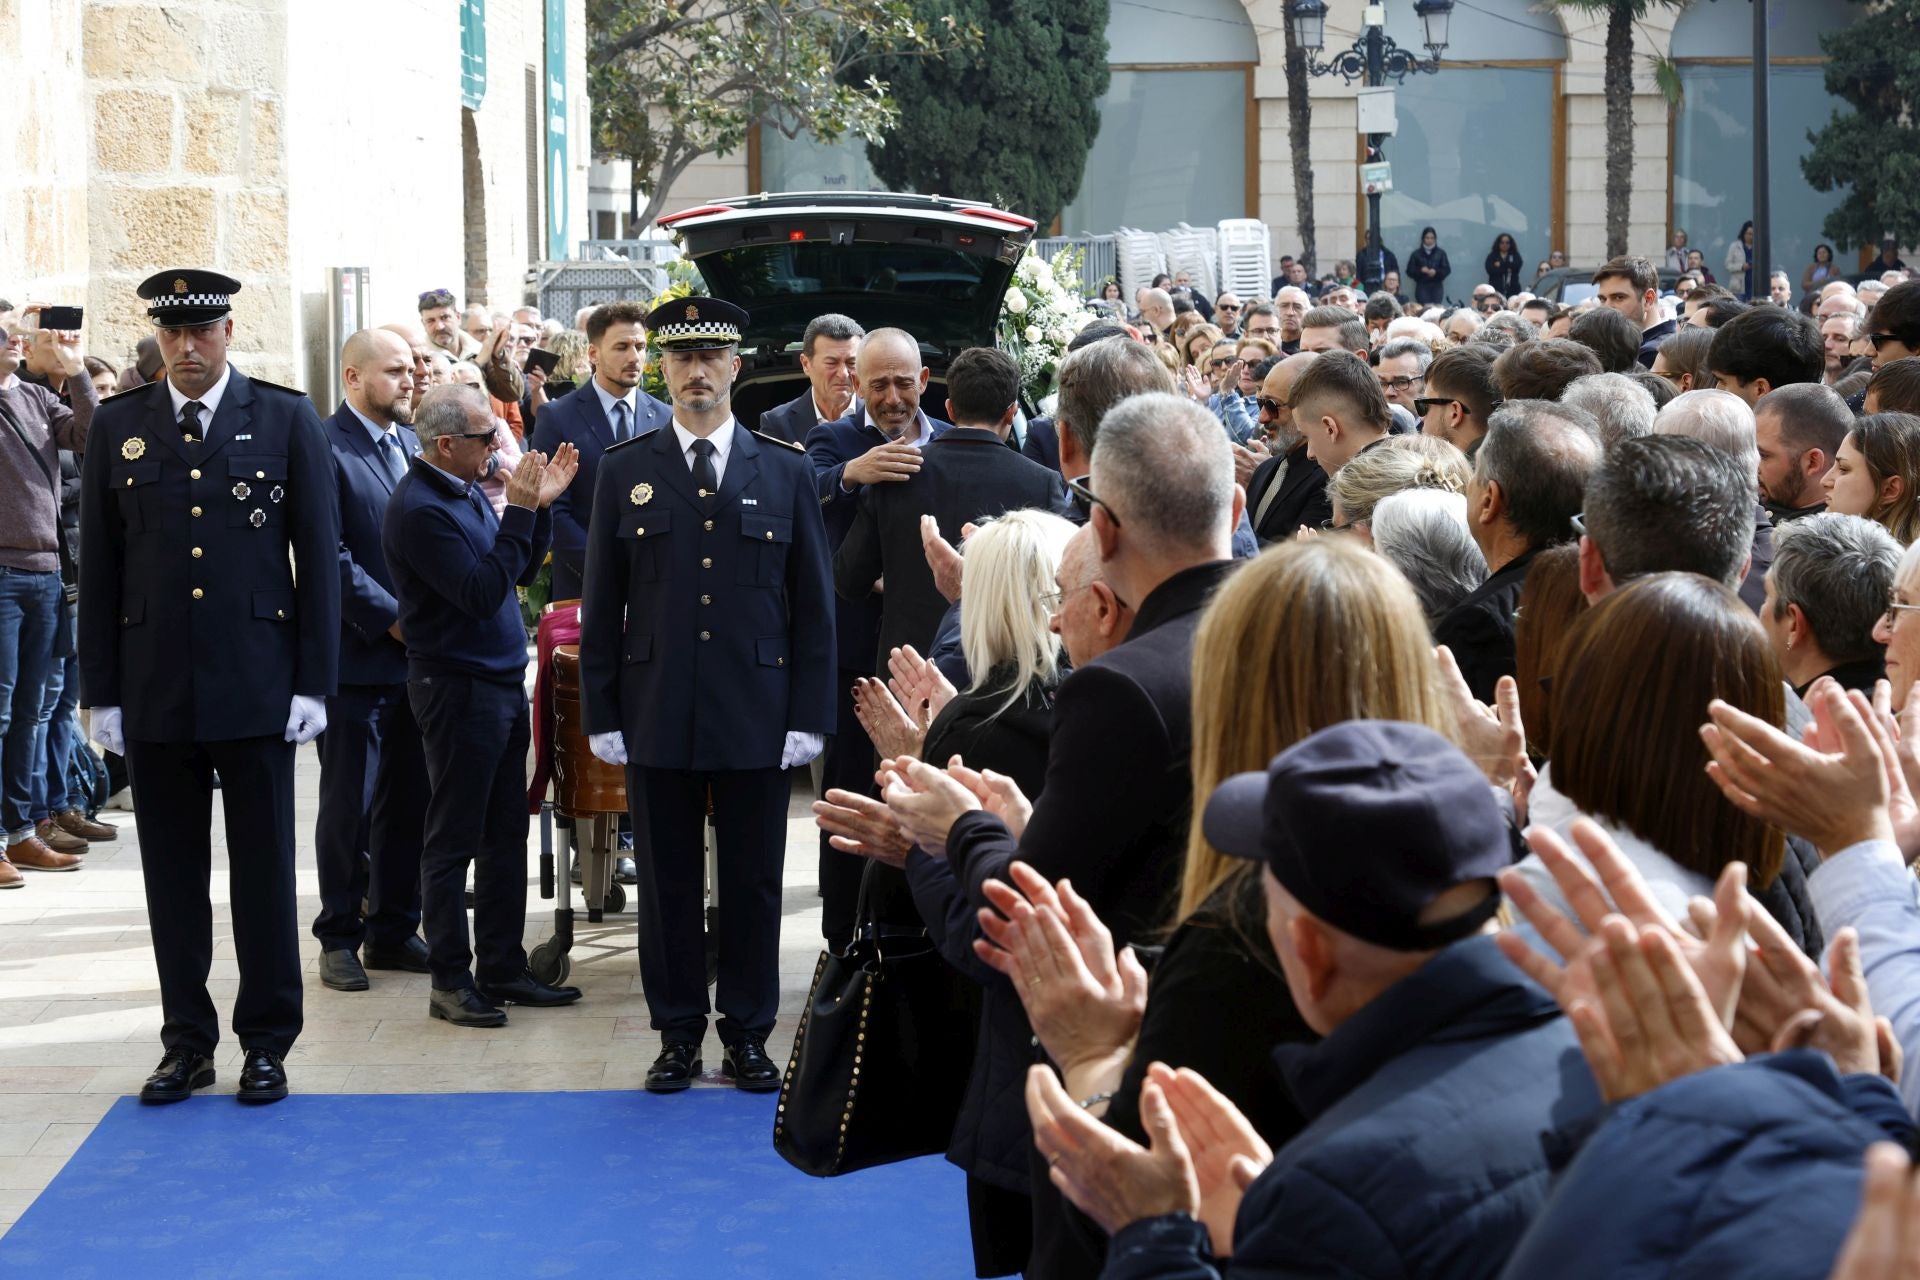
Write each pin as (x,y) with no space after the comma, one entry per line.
(1529,483)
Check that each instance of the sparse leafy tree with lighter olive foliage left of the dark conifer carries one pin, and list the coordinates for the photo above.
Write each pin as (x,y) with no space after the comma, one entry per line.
(679,80)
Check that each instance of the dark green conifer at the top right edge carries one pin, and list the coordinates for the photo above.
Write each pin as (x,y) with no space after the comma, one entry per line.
(1875,151)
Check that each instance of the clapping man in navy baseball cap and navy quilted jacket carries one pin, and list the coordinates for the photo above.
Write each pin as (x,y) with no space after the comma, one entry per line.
(1439,1070)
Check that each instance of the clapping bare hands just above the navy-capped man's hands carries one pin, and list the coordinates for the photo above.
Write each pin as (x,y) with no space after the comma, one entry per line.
(1084,1001)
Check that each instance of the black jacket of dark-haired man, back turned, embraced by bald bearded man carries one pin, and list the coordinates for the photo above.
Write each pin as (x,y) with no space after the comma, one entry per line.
(965,475)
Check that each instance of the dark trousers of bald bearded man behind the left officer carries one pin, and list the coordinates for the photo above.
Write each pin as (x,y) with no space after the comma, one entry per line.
(373,807)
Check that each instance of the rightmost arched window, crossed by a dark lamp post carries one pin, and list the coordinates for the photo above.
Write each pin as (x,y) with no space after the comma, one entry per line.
(1714,130)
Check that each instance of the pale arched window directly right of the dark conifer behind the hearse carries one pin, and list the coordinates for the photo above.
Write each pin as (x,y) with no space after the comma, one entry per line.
(1176,122)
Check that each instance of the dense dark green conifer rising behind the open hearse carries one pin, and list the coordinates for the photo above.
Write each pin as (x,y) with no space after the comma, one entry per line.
(1009,122)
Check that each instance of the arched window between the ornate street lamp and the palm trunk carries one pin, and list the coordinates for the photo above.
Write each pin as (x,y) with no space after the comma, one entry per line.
(1477,145)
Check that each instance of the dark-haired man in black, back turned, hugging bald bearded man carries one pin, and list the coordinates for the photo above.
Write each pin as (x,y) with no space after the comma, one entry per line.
(967,475)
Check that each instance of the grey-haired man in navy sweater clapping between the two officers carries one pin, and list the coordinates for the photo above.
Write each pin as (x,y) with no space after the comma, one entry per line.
(456,567)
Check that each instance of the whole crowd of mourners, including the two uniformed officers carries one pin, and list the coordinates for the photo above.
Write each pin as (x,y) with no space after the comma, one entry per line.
(1410,792)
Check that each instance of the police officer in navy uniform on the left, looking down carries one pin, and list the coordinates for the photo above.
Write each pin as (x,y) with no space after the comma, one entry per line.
(206,500)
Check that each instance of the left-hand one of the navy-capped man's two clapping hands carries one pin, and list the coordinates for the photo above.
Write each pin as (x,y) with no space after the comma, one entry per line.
(1113,1179)
